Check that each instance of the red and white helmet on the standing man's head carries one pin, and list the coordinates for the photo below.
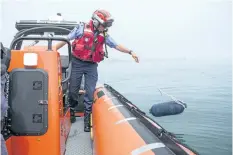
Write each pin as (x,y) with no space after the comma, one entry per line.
(102,17)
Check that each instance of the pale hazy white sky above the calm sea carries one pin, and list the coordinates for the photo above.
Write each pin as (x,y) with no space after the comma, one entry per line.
(152,28)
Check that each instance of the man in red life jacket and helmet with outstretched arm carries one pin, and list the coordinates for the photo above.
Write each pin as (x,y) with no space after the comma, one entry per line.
(88,51)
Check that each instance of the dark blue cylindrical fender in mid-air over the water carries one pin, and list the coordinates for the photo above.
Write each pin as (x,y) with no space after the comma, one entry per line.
(167,108)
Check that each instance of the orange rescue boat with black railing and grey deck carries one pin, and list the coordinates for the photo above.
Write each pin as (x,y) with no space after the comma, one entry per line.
(38,120)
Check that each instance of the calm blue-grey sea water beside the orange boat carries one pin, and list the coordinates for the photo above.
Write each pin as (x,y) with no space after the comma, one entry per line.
(206,87)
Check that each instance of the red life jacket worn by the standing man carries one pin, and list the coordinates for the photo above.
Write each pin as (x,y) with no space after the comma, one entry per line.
(89,47)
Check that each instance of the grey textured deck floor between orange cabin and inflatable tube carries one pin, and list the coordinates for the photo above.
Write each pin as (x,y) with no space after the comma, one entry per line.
(79,142)
